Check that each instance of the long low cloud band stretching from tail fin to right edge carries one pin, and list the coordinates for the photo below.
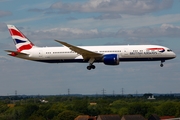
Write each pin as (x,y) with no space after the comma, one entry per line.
(142,33)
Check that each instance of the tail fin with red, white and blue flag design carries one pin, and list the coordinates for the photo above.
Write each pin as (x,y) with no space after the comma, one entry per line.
(20,40)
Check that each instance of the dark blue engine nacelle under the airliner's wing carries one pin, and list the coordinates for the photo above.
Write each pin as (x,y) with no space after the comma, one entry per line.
(111,59)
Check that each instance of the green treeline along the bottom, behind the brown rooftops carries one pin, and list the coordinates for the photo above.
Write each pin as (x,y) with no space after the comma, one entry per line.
(67,108)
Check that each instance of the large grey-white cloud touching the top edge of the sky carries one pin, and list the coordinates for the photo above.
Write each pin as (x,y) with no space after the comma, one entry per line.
(133,7)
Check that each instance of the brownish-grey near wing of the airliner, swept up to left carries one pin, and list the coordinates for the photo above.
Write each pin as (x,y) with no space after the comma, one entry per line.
(85,53)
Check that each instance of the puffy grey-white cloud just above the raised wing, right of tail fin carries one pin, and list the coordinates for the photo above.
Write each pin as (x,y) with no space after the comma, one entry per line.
(67,33)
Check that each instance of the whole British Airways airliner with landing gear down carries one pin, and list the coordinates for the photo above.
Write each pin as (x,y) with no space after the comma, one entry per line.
(109,55)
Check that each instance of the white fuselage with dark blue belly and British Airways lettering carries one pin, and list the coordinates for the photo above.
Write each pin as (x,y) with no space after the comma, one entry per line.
(125,53)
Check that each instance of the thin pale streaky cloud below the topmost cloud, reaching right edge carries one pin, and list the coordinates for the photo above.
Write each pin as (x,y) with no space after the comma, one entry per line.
(106,23)
